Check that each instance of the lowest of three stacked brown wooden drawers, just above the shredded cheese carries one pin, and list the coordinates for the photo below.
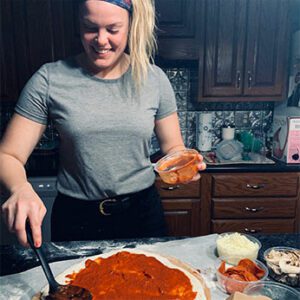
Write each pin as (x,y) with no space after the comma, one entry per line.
(254,226)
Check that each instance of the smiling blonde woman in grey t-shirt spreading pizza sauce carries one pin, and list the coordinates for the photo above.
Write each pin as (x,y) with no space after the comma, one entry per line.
(105,104)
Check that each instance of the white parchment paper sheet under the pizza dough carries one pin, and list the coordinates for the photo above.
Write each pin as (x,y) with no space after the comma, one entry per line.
(198,252)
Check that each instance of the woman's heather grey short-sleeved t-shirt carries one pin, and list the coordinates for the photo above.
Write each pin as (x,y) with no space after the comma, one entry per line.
(104,126)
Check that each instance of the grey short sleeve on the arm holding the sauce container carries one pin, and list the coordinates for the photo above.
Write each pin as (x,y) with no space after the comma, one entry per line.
(167,101)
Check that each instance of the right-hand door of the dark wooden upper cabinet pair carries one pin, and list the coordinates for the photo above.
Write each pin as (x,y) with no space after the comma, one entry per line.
(266,63)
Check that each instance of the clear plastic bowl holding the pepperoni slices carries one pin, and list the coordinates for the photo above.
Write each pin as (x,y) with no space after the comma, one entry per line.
(230,285)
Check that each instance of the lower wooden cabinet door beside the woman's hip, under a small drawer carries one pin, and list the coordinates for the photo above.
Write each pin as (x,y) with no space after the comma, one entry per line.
(182,216)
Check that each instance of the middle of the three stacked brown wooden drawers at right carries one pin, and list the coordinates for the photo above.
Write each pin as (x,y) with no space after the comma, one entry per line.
(250,208)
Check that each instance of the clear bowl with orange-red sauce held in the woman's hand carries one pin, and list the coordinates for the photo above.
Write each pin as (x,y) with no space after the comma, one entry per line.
(178,167)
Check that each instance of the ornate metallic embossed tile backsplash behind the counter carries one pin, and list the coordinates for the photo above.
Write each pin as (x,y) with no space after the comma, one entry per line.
(248,116)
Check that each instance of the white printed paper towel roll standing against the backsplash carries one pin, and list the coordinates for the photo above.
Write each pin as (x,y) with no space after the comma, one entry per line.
(203,131)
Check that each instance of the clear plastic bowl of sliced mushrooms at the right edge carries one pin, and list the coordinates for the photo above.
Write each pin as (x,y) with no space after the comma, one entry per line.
(277,273)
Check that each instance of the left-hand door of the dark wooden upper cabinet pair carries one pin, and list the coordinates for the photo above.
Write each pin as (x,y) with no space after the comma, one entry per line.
(224,47)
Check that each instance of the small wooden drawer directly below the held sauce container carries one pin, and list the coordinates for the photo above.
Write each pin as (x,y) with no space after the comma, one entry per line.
(190,190)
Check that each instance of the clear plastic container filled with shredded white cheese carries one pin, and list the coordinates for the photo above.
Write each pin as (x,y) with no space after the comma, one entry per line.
(235,252)
